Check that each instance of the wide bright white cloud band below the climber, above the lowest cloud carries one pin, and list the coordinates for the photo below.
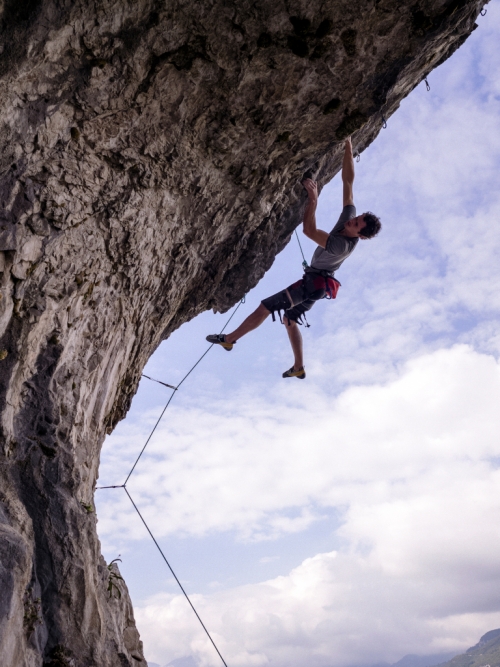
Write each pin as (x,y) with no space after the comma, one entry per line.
(246,464)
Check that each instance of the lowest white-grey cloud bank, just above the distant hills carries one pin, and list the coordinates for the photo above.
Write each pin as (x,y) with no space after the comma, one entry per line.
(333,609)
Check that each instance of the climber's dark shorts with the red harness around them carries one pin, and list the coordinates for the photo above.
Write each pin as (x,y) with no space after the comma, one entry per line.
(304,293)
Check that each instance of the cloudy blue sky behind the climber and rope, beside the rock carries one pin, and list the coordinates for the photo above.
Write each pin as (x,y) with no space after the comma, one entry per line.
(351,518)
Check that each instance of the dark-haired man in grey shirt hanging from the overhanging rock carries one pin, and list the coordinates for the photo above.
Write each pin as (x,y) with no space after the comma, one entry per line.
(318,281)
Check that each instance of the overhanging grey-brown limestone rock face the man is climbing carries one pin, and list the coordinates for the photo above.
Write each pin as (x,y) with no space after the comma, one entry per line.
(151,153)
